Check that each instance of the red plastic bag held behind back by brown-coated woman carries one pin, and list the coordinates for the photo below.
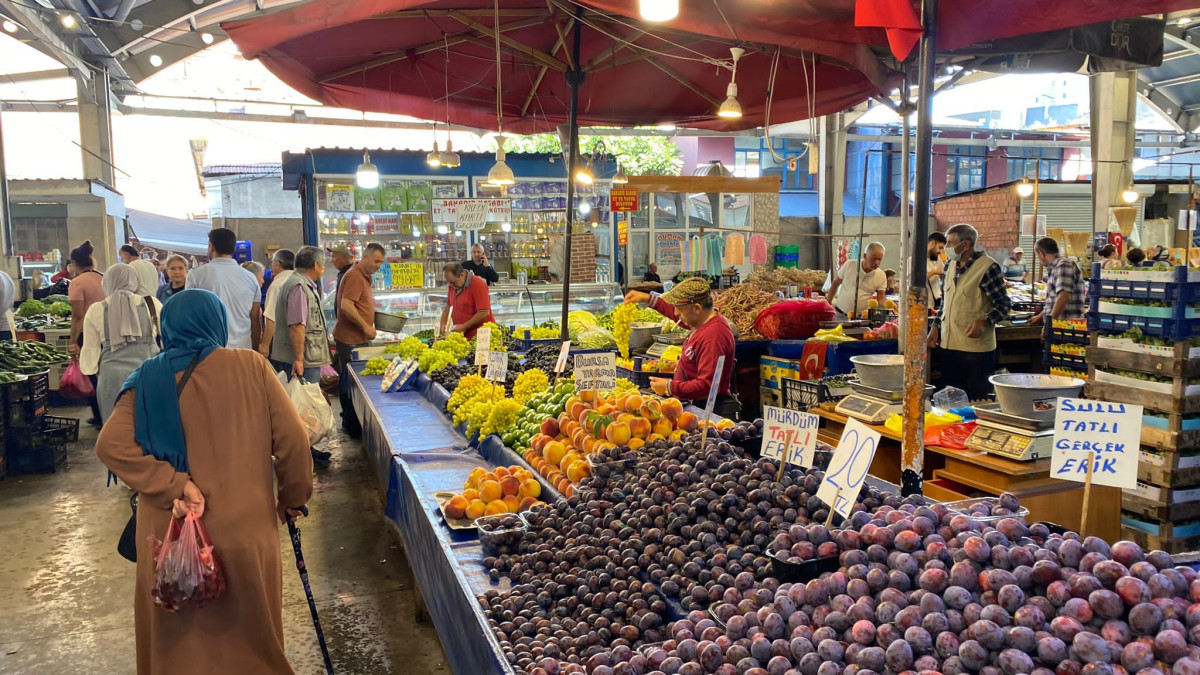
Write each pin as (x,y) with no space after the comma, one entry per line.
(188,574)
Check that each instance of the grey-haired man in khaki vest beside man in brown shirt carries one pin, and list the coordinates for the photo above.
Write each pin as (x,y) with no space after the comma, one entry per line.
(301,345)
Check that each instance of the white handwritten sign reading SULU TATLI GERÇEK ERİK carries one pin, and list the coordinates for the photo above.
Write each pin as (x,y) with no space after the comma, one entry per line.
(1112,433)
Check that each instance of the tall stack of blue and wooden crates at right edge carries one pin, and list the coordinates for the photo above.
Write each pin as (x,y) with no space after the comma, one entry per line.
(1157,373)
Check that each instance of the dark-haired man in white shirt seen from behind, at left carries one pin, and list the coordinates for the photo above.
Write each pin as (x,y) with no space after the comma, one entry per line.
(237,288)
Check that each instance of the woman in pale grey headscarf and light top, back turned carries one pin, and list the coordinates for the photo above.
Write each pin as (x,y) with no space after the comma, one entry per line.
(119,334)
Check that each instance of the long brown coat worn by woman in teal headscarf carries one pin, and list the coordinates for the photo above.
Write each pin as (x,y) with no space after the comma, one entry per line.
(236,417)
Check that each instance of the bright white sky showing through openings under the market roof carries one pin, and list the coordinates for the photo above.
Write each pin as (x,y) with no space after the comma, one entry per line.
(153,158)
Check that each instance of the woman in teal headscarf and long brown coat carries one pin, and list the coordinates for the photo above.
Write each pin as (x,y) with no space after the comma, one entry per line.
(236,417)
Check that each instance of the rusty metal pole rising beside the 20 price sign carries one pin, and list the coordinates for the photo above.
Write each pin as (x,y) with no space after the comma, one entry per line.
(913,452)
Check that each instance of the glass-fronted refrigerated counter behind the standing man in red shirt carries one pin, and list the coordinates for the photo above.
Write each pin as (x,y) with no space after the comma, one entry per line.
(512,304)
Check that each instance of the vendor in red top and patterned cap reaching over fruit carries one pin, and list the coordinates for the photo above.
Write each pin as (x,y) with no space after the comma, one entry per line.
(691,304)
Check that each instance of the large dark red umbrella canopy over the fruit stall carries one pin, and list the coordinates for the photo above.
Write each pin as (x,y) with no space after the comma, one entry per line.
(398,57)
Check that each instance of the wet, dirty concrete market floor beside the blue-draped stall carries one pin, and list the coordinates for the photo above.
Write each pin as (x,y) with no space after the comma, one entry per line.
(67,598)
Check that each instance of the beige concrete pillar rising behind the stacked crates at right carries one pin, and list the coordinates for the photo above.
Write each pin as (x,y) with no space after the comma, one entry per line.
(1114,101)
